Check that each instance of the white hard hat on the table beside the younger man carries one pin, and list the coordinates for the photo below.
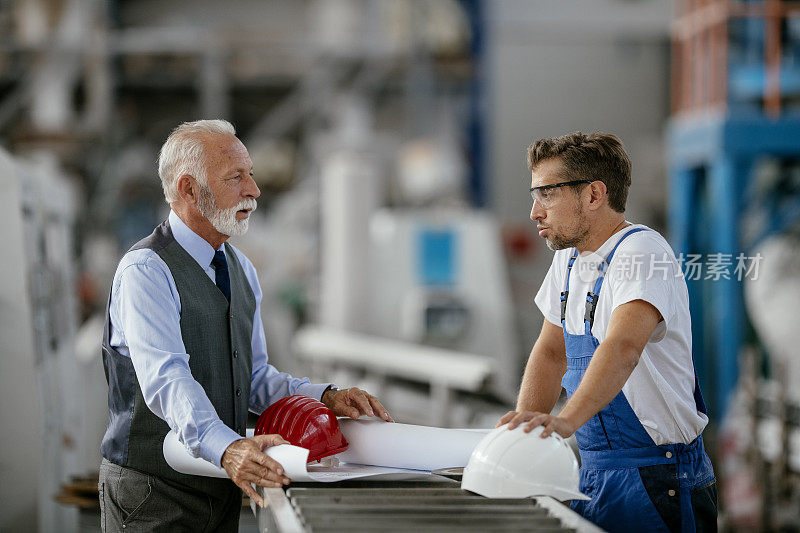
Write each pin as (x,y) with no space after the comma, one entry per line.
(515,464)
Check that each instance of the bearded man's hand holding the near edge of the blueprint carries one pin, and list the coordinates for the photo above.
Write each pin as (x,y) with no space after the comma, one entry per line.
(245,462)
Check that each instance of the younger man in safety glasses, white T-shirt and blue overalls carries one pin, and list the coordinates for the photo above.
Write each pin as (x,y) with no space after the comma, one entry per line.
(617,337)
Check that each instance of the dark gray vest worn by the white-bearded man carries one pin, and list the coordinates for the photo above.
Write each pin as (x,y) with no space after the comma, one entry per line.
(217,337)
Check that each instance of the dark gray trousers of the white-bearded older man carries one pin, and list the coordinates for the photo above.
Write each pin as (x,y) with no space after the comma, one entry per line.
(131,500)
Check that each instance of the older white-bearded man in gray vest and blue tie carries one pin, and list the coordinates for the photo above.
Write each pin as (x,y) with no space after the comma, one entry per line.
(184,348)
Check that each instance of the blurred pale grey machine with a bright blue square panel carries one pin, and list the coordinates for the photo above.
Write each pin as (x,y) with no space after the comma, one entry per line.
(439,278)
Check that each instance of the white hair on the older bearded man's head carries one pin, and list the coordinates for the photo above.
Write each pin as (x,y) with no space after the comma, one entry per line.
(183,153)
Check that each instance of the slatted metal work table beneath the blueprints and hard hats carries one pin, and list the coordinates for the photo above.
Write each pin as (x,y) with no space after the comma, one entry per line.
(407,505)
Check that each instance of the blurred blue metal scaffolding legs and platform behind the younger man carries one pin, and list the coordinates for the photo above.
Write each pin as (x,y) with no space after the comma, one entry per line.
(711,176)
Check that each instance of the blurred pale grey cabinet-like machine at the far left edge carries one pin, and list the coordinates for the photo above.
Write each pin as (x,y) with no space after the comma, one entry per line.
(39,380)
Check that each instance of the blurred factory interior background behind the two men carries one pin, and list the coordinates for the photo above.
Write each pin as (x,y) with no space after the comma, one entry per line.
(392,239)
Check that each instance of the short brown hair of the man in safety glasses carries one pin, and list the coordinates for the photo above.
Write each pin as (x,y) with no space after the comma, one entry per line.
(598,156)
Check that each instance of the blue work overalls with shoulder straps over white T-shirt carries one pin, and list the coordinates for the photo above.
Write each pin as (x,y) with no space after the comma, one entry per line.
(614,447)
